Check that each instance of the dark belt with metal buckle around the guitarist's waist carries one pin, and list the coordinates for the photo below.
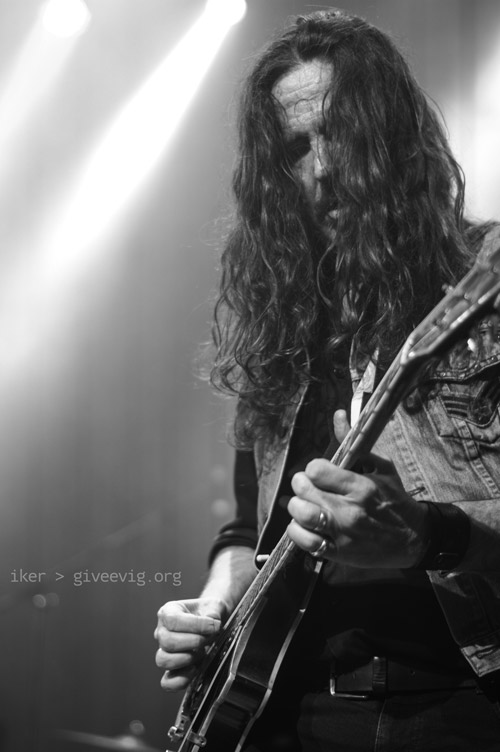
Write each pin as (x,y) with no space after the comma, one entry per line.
(382,676)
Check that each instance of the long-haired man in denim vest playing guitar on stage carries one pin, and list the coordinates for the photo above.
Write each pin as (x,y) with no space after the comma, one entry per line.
(349,227)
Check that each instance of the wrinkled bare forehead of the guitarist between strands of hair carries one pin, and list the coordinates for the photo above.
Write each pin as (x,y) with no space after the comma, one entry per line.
(302,93)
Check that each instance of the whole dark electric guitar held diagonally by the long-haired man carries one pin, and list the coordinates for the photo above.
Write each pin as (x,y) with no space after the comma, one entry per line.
(236,677)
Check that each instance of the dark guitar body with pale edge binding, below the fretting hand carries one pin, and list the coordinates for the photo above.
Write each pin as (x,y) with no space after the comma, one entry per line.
(234,684)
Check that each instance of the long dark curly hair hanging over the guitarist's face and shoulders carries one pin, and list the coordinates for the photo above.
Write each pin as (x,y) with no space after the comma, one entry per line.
(290,304)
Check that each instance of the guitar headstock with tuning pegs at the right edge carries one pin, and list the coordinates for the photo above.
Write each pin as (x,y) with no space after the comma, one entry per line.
(474,295)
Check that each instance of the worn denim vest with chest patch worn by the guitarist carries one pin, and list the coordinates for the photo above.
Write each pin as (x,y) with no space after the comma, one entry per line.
(447,451)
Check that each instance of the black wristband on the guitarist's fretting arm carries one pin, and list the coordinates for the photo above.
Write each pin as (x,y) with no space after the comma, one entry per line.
(449,537)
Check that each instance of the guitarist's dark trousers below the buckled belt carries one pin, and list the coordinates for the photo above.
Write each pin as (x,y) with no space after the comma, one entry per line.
(459,721)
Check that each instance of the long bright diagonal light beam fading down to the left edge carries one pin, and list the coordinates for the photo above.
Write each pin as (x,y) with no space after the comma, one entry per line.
(71,241)
